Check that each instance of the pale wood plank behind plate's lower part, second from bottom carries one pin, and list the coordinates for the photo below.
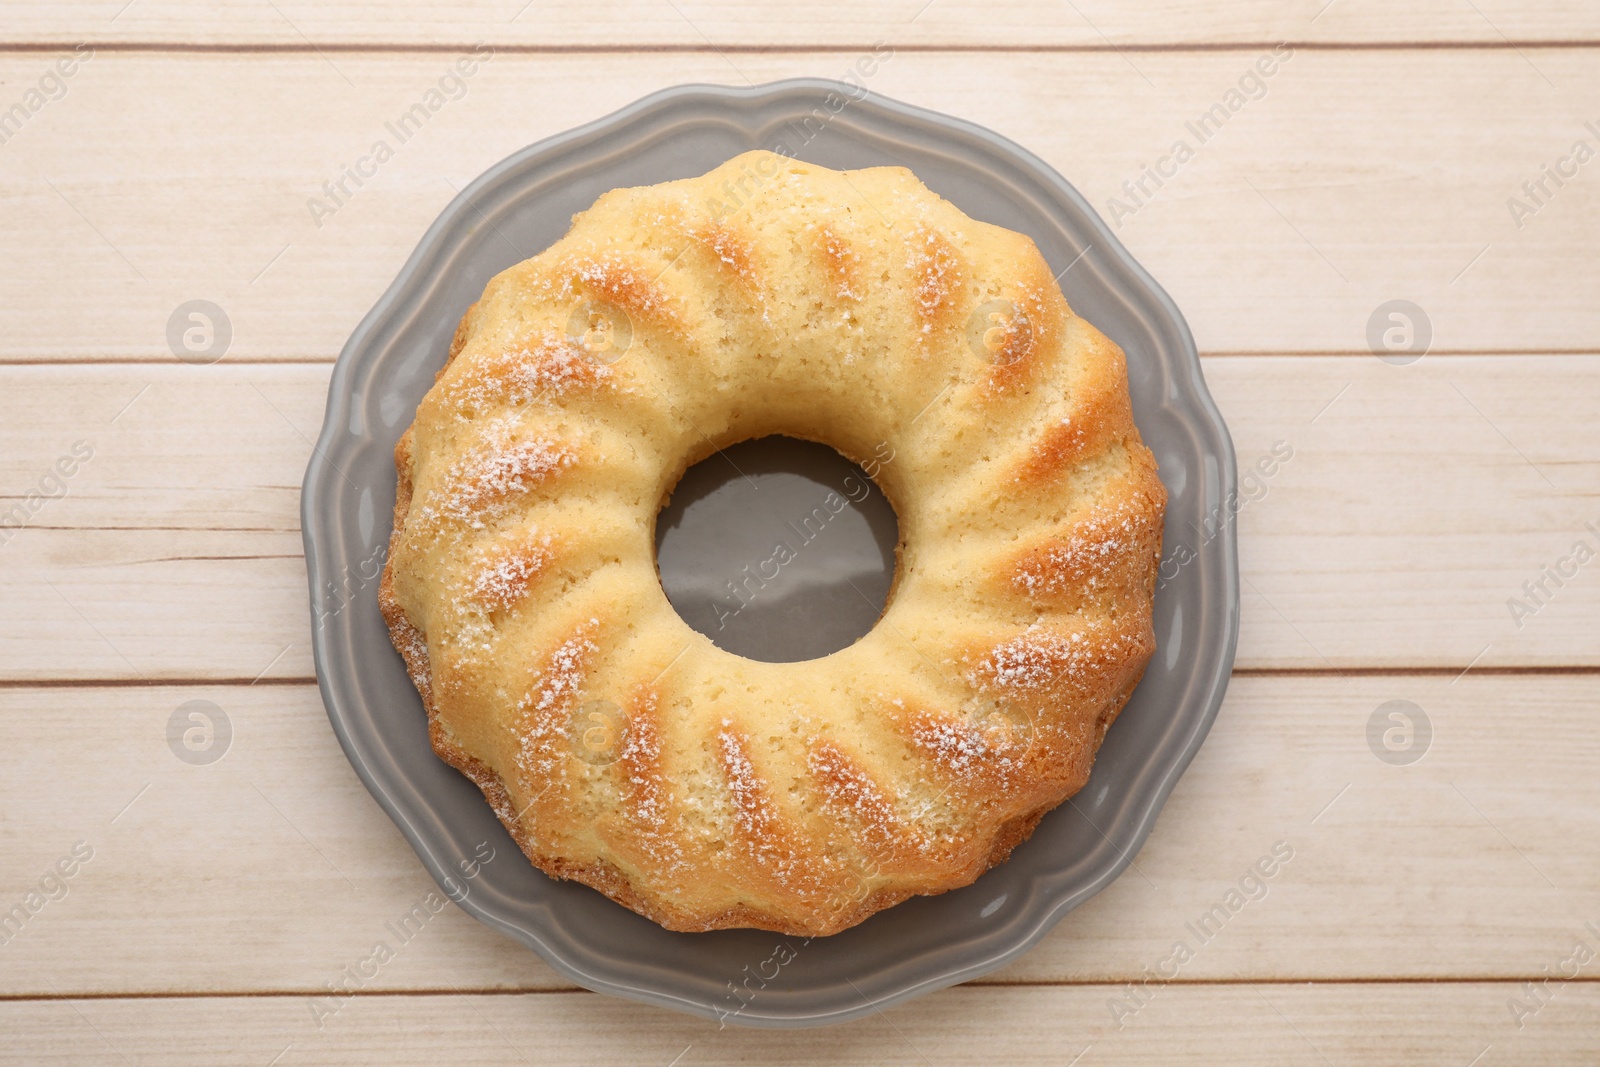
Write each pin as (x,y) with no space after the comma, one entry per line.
(271,869)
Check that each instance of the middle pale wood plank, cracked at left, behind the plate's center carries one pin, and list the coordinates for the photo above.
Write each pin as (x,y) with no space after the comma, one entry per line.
(1417,511)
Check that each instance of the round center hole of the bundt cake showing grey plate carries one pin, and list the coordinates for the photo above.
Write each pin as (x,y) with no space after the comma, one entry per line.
(778,549)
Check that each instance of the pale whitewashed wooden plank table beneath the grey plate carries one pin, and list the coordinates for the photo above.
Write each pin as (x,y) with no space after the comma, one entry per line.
(159,559)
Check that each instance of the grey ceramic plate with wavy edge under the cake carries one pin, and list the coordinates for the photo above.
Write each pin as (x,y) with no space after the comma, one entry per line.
(514,212)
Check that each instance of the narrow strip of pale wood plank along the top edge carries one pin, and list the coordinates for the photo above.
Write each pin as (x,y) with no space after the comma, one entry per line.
(697,23)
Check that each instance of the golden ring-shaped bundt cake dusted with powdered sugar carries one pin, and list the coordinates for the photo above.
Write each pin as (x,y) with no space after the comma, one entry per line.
(770,297)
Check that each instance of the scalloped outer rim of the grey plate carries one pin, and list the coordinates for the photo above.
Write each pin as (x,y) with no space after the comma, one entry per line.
(1191,406)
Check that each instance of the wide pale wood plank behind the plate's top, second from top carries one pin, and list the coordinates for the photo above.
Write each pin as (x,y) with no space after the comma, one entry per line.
(1354,180)
